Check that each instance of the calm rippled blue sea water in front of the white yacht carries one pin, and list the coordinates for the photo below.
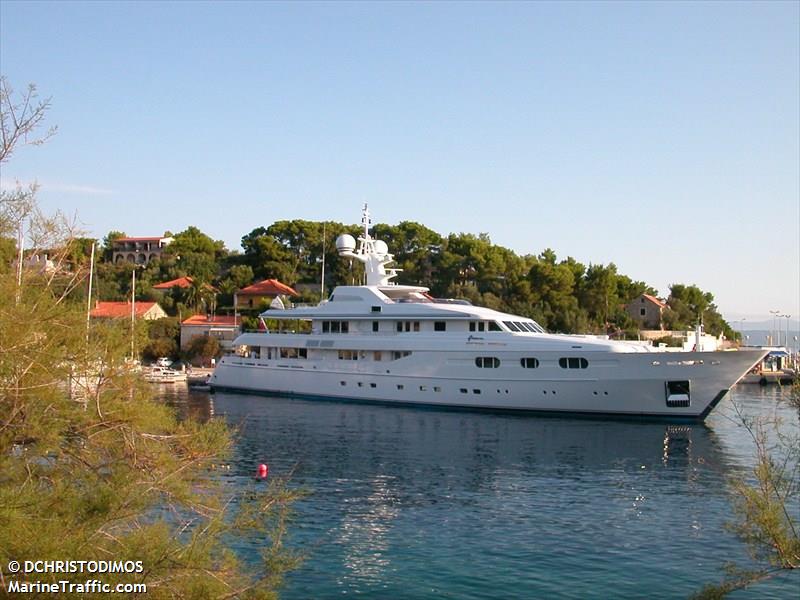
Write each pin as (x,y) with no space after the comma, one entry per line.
(422,503)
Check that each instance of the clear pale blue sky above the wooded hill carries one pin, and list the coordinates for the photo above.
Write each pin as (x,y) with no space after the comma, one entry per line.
(661,136)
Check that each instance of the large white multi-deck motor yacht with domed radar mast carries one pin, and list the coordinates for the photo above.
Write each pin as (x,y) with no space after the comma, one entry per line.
(390,343)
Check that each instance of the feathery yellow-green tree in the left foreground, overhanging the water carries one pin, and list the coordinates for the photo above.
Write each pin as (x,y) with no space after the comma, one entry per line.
(91,467)
